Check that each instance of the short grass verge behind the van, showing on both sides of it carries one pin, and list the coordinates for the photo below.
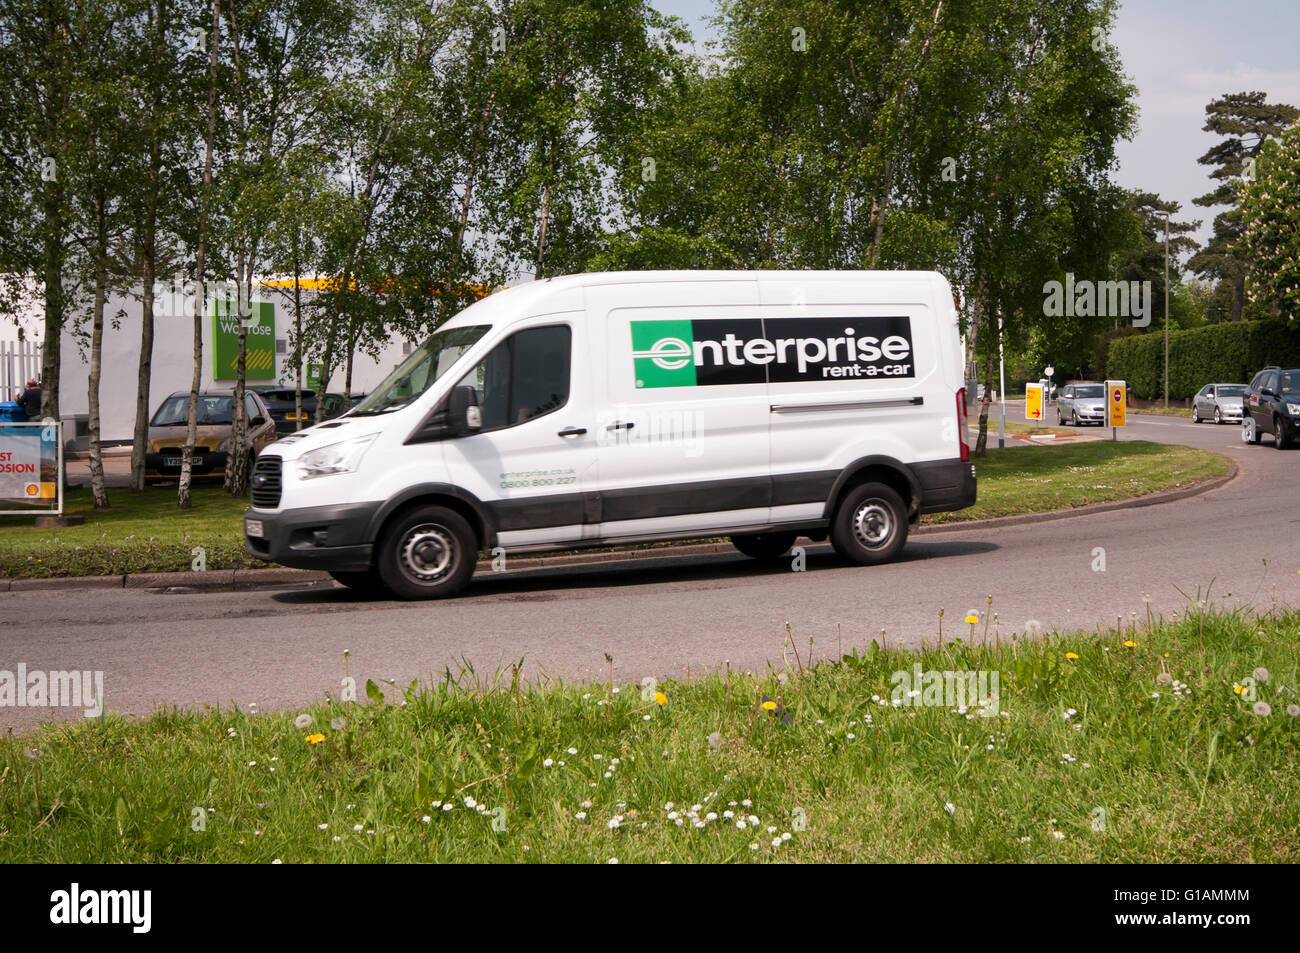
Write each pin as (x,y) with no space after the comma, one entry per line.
(146,534)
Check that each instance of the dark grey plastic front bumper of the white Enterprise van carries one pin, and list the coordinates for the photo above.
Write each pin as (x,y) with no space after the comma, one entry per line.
(314,538)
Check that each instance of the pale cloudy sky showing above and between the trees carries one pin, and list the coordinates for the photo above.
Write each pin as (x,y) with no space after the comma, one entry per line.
(1181,55)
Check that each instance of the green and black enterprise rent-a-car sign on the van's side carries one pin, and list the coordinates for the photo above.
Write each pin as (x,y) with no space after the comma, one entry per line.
(718,352)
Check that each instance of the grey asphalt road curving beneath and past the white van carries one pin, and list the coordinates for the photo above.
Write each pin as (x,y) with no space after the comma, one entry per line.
(677,617)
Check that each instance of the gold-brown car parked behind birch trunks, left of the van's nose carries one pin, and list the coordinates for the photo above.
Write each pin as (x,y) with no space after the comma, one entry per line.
(213,444)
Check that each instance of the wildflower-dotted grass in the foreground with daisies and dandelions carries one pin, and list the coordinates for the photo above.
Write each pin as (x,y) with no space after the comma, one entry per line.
(1089,760)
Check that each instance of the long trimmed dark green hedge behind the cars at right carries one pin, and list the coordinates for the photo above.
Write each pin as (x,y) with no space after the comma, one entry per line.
(1219,353)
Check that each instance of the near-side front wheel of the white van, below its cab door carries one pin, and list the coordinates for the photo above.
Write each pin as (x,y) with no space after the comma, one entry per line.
(428,553)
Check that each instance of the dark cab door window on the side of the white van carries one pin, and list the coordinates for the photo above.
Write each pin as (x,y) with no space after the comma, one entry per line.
(523,378)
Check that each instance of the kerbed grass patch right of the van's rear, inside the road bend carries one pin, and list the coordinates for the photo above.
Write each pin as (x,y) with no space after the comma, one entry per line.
(1022,480)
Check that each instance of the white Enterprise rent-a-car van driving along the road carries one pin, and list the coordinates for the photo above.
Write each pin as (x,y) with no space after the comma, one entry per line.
(636,406)
